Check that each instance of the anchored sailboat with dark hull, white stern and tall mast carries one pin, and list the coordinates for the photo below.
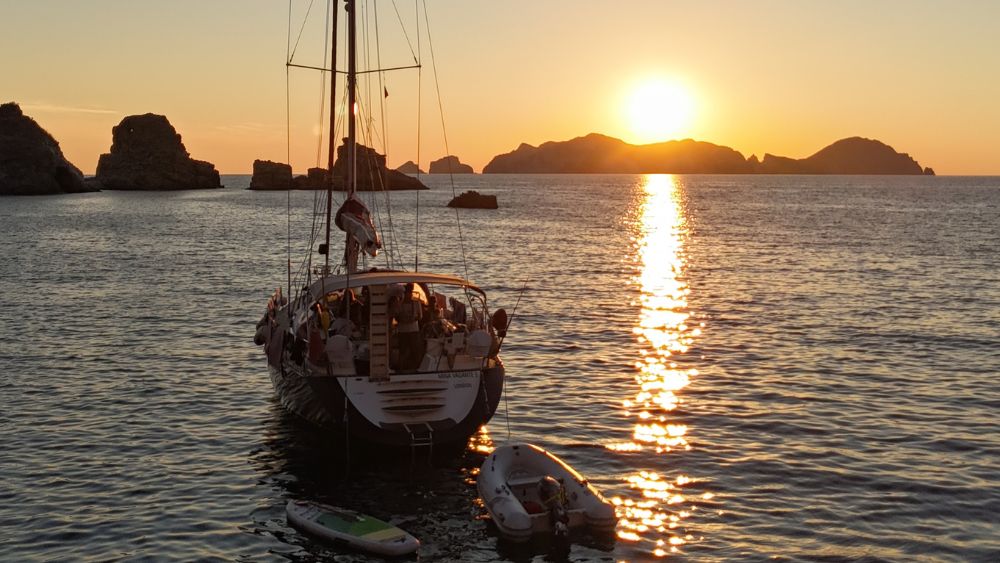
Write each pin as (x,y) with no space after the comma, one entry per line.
(383,356)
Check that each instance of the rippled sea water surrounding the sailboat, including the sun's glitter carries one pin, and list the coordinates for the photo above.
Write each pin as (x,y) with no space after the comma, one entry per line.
(797,368)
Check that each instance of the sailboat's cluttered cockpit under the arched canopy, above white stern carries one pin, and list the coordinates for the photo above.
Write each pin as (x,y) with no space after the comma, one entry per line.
(380,323)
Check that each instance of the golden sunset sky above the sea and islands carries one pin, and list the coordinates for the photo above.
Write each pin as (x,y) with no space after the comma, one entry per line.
(780,76)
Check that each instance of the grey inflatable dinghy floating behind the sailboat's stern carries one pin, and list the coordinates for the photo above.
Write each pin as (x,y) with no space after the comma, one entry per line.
(513,480)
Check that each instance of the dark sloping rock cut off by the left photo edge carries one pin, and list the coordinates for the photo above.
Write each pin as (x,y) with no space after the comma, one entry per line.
(31,162)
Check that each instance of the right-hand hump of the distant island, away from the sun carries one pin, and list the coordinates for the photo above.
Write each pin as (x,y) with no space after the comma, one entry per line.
(854,155)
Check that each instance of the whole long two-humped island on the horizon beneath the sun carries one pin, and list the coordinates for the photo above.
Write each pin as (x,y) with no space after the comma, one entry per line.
(600,154)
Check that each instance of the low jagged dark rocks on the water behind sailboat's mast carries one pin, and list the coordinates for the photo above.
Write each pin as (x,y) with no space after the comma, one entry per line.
(372,174)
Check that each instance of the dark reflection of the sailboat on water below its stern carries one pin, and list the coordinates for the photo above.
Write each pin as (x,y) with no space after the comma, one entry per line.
(297,460)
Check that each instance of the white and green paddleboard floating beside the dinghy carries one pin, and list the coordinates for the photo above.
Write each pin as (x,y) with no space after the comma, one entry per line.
(351,528)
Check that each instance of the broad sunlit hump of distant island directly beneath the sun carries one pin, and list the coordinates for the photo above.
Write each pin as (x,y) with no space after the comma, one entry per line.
(600,154)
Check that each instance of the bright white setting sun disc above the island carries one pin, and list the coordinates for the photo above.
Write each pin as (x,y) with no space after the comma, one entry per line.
(659,110)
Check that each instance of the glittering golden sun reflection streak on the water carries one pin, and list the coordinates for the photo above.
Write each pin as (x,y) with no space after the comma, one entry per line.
(663,332)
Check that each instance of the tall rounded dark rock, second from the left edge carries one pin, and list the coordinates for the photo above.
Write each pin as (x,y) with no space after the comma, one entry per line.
(147,154)
